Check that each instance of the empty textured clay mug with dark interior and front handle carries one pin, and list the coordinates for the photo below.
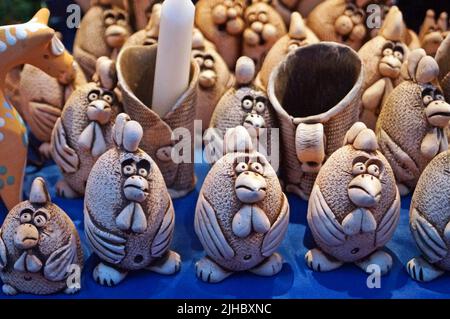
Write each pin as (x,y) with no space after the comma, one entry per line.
(315,105)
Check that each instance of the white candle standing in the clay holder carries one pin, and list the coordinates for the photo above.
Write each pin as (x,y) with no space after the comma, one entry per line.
(173,59)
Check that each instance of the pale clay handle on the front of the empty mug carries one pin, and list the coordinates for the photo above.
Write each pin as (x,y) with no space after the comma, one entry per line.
(310,146)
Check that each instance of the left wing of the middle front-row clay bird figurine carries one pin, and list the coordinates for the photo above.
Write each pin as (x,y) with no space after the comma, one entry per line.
(209,232)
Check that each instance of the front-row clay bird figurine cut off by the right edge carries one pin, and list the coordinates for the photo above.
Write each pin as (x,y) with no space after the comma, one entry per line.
(429,220)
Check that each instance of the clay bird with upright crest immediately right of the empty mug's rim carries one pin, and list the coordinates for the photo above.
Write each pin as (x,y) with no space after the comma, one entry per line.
(382,57)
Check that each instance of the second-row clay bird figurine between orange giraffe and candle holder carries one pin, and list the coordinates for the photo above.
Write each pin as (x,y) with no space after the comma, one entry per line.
(83,132)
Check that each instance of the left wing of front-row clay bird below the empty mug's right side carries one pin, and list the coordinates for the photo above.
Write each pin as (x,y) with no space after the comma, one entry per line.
(322,221)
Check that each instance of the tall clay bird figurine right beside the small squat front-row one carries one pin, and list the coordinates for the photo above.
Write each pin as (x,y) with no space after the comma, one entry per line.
(128,214)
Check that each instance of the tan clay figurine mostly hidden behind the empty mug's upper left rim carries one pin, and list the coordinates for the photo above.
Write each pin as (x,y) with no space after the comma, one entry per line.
(299,35)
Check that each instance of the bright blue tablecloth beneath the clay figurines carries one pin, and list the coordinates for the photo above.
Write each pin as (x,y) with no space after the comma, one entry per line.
(294,281)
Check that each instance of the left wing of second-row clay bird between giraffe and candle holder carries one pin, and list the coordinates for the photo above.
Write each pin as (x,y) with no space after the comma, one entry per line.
(62,153)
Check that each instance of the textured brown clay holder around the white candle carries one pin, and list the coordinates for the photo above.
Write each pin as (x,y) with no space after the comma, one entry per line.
(135,69)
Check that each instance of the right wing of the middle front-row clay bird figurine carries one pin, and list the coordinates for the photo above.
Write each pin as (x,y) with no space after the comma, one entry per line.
(275,235)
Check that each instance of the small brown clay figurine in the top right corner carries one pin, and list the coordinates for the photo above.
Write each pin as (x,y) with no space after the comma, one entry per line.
(433,31)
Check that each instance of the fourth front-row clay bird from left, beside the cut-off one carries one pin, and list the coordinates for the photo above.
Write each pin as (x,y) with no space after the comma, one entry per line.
(354,206)
